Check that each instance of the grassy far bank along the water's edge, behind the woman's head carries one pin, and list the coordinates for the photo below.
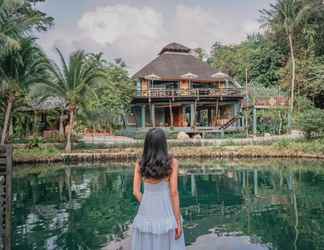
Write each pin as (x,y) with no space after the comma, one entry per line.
(281,148)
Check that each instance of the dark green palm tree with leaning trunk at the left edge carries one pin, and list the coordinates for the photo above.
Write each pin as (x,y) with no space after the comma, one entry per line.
(19,70)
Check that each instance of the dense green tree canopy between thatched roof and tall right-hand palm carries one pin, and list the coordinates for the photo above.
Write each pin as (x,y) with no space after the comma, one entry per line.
(259,56)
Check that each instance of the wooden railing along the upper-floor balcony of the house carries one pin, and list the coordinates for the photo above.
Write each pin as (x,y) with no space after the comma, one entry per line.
(201,92)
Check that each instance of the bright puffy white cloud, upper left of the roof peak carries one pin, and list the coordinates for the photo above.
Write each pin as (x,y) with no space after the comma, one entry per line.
(111,23)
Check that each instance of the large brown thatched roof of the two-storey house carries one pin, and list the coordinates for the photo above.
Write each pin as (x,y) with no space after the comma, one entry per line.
(175,62)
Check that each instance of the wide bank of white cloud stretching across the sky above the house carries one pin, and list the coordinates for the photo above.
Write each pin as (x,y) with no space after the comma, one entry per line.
(137,34)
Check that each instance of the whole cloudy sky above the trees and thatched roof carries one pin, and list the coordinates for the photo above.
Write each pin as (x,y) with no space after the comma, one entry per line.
(137,30)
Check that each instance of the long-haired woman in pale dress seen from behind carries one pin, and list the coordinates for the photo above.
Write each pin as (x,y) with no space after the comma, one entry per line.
(157,225)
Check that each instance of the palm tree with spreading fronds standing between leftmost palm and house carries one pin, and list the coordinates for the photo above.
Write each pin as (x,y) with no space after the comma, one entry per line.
(73,82)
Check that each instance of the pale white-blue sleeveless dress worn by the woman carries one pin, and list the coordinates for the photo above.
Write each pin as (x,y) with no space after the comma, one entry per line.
(154,225)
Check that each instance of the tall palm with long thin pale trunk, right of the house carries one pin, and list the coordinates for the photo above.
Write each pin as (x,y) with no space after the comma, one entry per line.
(287,16)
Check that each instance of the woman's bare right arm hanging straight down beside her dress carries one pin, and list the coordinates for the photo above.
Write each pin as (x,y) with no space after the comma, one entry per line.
(175,196)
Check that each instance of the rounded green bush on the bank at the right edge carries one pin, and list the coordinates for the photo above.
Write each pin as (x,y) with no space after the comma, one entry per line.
(311,121)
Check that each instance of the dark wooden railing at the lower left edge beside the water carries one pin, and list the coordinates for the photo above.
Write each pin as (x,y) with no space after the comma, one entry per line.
(5,196)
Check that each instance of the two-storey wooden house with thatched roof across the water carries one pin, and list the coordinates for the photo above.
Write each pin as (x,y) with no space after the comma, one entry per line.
(178,90)
